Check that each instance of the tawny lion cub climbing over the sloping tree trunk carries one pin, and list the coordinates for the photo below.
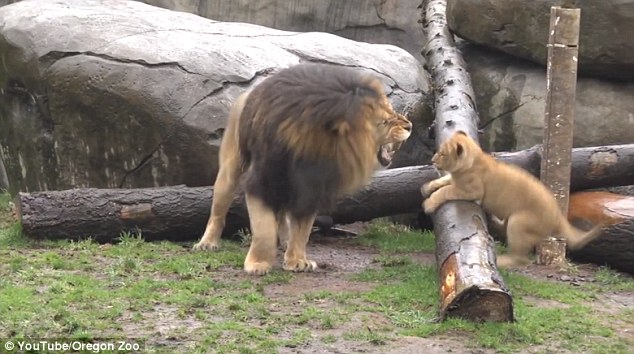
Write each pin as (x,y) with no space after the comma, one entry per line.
(527,206)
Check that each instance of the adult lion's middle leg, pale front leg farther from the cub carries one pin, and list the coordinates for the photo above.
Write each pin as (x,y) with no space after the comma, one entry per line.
(263,250)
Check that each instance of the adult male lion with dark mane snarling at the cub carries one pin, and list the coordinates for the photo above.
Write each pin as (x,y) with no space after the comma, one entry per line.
(299,141)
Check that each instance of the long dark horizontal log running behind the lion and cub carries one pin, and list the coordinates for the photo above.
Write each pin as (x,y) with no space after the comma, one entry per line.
(180,213)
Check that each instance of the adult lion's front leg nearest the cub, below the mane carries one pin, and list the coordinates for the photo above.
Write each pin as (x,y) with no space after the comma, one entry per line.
(295,257)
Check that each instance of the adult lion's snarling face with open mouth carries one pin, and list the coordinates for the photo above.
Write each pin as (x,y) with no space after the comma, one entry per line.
(392,129)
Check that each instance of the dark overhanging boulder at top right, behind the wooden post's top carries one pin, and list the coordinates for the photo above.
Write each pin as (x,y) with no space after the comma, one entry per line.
(520,27)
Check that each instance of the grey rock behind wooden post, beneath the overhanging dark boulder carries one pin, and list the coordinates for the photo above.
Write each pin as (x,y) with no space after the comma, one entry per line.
(511,99)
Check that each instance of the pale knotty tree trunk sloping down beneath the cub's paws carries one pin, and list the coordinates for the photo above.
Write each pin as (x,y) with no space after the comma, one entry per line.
(470,284)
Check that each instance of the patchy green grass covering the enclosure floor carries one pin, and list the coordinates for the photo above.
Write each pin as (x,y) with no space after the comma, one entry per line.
(176,300)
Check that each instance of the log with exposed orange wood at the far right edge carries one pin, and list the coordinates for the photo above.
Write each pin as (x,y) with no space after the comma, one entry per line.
(615,246)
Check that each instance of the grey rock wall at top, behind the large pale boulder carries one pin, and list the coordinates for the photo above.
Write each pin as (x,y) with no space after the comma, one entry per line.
(374,21)
